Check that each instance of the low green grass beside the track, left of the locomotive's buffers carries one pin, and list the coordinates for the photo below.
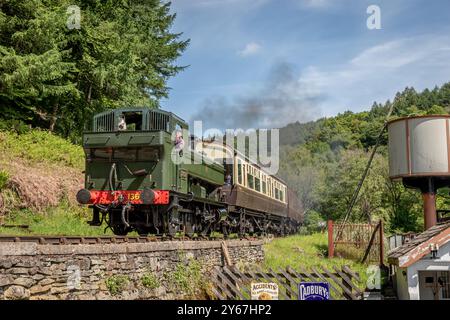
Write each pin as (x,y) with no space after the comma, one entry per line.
(63,220)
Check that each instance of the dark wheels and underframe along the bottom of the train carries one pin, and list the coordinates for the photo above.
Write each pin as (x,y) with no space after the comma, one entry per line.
(189,216)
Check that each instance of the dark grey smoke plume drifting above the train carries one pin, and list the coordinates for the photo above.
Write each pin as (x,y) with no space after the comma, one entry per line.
(283,99)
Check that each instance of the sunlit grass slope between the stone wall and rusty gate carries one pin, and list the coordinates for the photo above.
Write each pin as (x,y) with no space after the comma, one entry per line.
(306,251)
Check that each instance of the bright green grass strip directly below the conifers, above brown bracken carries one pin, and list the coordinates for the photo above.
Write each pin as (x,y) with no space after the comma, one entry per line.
(41,146)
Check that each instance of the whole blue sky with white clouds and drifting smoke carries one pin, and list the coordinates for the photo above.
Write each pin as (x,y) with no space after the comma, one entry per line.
(267,63)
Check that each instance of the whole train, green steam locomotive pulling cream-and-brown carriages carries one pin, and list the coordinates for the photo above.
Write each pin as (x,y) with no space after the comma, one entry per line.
(133,183)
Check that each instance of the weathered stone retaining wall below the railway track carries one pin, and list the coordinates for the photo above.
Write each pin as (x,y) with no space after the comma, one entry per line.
(157,270)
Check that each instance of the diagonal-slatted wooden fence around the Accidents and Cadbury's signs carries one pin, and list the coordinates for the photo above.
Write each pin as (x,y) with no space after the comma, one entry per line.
(229,283)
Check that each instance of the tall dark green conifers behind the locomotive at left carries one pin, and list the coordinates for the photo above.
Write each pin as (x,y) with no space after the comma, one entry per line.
(56,77)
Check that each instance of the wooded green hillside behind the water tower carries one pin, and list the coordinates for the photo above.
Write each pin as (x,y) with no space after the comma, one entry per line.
(324,160)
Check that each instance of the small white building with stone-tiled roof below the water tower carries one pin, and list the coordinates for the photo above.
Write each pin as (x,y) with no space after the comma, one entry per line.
(422,266)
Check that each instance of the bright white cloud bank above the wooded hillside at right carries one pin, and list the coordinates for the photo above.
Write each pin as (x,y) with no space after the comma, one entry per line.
(378,72)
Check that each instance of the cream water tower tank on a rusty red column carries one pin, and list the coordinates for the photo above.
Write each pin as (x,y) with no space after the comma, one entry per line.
(419,156)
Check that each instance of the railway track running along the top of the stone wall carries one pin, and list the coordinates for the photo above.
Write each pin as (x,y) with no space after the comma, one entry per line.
(74,240)
